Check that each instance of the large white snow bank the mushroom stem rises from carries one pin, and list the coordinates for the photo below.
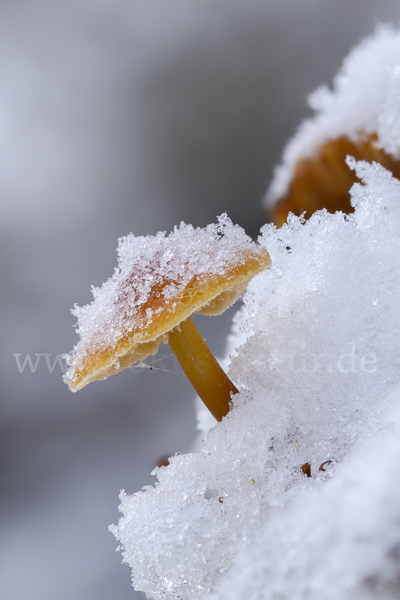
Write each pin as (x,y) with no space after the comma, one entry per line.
(316,358)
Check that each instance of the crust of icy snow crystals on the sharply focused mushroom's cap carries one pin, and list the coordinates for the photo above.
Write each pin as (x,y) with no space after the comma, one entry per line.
(146,264)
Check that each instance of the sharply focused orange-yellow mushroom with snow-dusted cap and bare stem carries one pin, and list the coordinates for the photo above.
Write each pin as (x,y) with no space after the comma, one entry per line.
(160,283)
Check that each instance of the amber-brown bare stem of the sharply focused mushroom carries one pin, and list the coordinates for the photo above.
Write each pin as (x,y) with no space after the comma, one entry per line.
(203,371)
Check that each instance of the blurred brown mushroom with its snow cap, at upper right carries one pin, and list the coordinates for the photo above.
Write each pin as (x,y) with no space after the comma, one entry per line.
(359,116)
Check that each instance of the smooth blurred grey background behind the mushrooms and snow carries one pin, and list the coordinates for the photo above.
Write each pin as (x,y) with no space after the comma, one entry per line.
(121,116)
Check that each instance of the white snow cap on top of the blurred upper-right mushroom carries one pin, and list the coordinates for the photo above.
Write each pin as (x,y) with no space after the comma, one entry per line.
(364,100)
